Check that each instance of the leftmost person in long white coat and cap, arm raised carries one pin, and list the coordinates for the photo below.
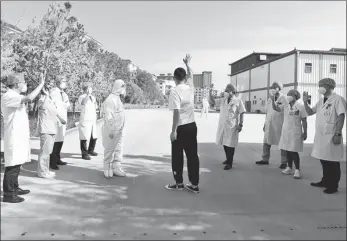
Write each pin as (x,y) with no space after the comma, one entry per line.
(16,133)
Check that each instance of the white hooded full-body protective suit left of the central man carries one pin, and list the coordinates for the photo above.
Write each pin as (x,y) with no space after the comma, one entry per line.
(114,121)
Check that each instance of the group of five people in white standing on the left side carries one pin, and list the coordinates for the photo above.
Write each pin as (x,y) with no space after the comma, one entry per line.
(53,105)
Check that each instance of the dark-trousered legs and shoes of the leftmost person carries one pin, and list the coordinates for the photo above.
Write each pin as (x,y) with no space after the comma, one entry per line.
(10,184)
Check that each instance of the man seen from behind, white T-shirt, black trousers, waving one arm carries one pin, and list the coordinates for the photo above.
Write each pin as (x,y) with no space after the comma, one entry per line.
(184,130)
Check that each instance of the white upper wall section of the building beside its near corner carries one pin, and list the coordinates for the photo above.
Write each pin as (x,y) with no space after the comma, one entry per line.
(283,70)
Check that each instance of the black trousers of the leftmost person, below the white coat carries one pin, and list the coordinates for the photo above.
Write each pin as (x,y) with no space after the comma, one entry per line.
(10,182)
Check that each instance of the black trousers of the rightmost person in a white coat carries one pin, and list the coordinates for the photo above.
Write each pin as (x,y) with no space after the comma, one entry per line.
(331,174)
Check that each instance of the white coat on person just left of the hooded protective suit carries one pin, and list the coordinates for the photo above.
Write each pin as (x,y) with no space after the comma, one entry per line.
(87,125)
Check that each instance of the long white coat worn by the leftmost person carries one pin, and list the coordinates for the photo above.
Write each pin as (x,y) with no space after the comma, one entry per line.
(16,129)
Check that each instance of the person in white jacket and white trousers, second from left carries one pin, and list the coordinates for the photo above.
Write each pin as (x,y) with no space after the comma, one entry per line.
(47,120)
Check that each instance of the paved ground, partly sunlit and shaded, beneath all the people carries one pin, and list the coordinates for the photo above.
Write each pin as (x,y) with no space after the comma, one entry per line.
(248,202)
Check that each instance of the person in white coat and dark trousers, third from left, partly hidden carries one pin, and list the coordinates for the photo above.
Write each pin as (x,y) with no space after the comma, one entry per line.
(61,99)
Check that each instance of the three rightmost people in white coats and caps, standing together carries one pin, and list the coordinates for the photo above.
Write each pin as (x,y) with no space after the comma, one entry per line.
(286,126)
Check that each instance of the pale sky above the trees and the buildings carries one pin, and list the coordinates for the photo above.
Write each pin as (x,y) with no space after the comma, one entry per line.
(156,35)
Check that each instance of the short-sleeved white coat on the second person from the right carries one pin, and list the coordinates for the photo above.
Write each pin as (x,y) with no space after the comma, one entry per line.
(292,128)
